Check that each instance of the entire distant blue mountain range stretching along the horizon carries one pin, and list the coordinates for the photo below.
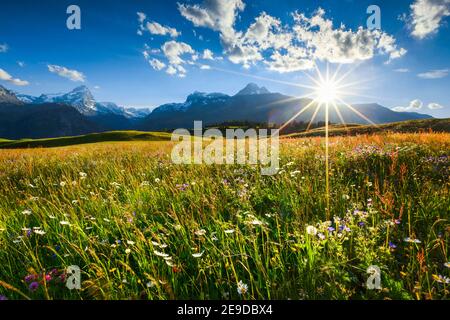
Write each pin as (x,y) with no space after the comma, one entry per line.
(77,112)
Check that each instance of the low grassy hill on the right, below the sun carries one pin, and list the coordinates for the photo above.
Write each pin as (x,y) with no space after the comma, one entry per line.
(435,125)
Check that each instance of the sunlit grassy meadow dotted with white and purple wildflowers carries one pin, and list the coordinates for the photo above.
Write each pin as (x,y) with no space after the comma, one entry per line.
(141,227)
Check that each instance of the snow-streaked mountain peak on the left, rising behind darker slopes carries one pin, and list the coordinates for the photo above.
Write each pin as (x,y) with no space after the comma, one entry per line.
(82,99)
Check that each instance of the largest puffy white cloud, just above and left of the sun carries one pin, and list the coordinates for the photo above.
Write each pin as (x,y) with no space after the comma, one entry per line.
(288,48)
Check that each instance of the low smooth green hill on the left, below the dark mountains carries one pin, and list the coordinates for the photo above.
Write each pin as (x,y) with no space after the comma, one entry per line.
(88,138)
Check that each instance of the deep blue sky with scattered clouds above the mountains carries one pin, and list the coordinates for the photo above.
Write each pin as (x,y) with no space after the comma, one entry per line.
(161,58)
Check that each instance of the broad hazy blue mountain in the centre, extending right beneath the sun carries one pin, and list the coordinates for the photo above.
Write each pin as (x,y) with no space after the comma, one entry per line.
(257,104)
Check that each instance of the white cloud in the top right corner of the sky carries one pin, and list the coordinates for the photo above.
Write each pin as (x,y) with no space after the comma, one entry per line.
(426,16)
